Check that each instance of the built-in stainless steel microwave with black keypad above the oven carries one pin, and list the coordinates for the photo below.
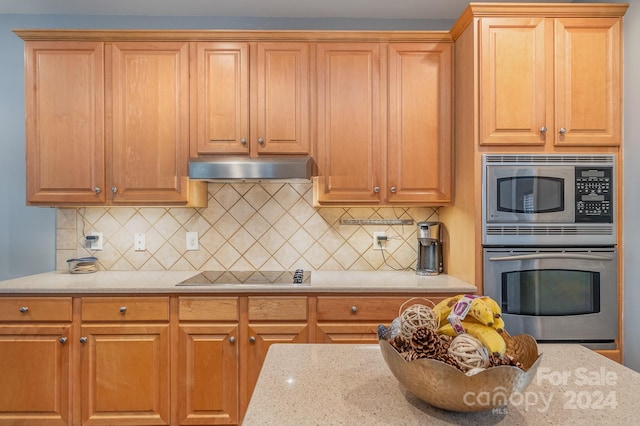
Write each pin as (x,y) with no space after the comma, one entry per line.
(548,199)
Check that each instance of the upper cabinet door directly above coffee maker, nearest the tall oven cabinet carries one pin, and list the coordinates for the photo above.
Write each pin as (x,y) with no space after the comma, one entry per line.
(420,147)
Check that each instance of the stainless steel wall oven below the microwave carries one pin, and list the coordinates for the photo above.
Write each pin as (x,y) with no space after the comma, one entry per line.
(556,294)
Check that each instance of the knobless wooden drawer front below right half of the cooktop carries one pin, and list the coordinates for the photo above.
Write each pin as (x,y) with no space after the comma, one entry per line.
(277,308)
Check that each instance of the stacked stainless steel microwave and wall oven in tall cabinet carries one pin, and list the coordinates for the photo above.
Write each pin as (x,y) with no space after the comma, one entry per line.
(549,237)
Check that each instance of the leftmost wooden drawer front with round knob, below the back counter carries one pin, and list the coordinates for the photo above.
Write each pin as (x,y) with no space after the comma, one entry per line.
(35,309)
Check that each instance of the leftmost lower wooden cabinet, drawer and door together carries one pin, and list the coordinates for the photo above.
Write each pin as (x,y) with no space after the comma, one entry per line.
(35,354)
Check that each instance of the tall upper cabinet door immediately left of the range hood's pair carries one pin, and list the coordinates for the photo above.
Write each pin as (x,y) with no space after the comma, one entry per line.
(150,141)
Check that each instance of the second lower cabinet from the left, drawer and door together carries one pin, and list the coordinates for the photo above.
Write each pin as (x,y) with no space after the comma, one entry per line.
(125,361)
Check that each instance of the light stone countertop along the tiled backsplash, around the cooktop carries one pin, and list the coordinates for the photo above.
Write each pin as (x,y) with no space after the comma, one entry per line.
(165,282)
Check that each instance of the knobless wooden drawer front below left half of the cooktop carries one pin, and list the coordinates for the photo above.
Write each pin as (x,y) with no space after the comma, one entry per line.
(208,309)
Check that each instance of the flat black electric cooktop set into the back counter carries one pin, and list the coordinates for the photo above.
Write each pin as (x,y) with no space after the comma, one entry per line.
(298,277)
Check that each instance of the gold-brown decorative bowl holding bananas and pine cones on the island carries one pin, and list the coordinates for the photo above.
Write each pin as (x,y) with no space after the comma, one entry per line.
(444,386)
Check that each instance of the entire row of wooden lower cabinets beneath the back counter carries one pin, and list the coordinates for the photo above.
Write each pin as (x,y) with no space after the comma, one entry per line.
(174,360)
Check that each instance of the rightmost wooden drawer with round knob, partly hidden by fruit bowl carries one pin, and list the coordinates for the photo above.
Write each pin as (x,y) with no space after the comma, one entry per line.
(359,308)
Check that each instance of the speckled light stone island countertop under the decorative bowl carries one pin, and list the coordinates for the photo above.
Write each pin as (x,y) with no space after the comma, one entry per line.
(345,384)
